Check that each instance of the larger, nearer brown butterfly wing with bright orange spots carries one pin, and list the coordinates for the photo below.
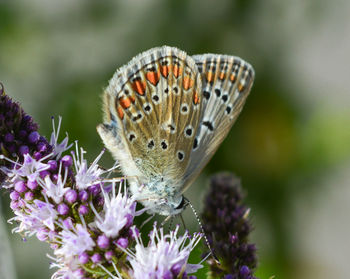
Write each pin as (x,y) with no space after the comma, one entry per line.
(152,111)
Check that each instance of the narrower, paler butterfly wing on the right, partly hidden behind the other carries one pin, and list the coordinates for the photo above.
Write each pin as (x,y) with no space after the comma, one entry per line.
(226,83)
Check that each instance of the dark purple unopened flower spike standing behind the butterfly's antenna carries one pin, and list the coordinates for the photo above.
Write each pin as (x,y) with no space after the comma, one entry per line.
(225,220)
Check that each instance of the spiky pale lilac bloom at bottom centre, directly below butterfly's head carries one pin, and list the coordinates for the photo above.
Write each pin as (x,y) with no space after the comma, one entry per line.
(164,257)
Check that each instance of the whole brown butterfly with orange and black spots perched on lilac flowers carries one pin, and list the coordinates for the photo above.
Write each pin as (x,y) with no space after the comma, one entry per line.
(165,115)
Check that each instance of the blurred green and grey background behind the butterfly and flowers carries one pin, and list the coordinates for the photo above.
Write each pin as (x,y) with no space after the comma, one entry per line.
(290,146)
